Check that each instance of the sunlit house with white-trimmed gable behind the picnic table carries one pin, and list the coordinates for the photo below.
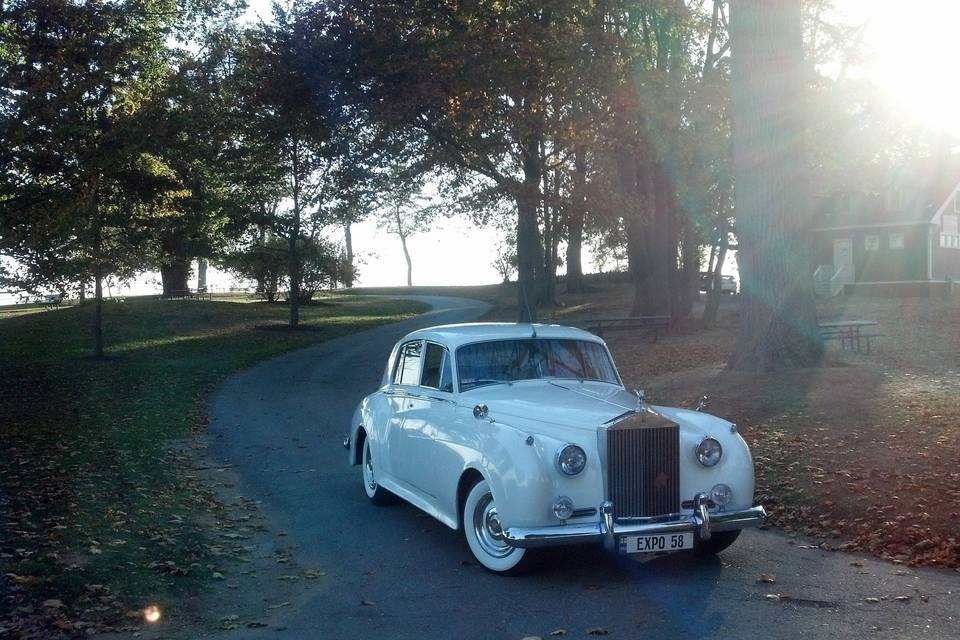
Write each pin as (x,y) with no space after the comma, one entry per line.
(906,234)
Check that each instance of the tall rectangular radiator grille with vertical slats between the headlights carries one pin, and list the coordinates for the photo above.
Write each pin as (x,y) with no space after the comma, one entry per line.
(643,471)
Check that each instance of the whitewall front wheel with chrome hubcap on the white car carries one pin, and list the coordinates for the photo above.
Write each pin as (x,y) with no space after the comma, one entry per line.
(481,527)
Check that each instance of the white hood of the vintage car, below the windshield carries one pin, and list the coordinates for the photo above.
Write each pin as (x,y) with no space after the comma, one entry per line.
(568,403)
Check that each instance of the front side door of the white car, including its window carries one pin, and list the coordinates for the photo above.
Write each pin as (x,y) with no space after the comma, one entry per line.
(429,412)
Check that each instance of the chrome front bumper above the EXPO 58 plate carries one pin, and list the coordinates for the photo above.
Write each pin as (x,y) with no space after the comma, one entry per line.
(701,522)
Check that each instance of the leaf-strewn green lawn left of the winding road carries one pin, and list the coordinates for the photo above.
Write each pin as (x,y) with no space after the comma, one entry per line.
(101,515)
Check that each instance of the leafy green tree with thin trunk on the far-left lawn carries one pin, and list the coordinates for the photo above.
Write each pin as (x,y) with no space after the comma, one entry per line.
(79,183)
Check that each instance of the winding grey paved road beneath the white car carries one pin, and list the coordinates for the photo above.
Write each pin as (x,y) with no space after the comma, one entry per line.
(281,424)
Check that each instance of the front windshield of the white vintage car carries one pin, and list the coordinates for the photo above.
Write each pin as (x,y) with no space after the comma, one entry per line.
(533,358)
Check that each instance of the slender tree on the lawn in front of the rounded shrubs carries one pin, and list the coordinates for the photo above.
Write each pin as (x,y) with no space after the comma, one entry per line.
(289,126)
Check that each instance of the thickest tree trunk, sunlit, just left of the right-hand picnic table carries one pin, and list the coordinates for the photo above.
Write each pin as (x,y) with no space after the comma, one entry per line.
(778,320)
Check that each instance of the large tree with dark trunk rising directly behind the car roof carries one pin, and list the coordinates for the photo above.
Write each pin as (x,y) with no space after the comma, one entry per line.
(481,87)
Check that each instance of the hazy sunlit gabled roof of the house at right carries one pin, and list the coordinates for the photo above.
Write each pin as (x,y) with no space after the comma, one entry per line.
(912,195)
